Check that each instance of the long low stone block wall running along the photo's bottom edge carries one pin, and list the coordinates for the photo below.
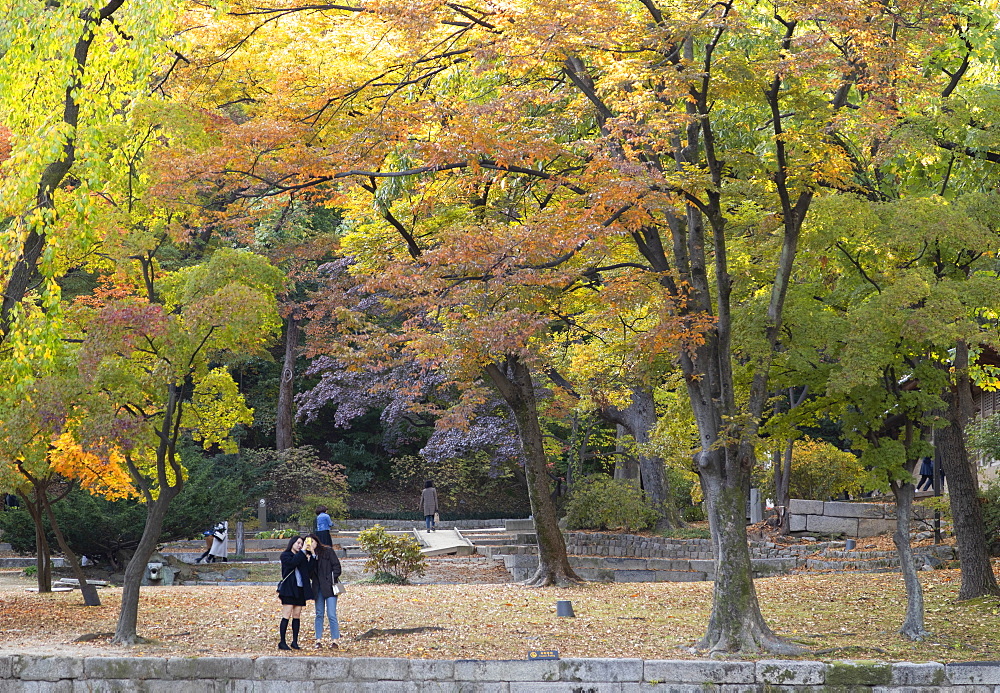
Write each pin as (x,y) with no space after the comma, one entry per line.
(59,674)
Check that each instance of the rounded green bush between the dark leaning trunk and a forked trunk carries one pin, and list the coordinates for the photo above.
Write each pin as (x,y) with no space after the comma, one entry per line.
(600,502)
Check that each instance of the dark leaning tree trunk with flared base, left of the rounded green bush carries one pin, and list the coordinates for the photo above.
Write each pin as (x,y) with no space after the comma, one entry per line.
(514,382)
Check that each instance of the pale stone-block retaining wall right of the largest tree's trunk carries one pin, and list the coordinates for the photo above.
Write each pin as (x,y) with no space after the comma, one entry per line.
(848,519)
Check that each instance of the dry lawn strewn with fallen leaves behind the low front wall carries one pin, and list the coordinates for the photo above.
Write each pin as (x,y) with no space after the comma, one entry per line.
(837,616)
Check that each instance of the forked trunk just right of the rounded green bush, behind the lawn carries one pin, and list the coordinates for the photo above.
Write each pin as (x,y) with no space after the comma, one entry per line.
(639,419)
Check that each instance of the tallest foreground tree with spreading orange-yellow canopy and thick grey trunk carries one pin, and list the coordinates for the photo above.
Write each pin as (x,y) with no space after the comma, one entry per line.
(513,160)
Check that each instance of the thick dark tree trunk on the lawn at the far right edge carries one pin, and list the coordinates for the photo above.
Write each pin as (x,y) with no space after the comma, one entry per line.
(978,579)
